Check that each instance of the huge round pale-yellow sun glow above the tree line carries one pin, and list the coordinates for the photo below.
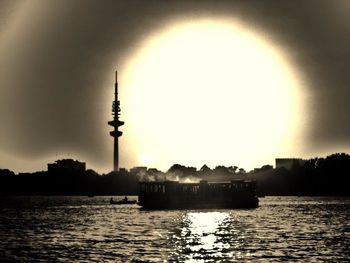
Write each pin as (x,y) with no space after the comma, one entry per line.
(210,93)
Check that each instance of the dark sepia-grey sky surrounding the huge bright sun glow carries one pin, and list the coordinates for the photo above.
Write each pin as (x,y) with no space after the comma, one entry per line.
(57,60)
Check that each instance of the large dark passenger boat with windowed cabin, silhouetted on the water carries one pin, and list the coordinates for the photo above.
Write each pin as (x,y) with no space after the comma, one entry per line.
(202,195)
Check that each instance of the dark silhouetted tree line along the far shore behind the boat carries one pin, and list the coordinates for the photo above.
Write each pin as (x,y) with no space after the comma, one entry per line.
(329,176)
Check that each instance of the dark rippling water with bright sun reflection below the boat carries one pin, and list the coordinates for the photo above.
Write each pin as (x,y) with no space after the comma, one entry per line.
(82,229)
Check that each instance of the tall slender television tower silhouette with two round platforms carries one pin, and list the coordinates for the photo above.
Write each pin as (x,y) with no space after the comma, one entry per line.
(116,123)
